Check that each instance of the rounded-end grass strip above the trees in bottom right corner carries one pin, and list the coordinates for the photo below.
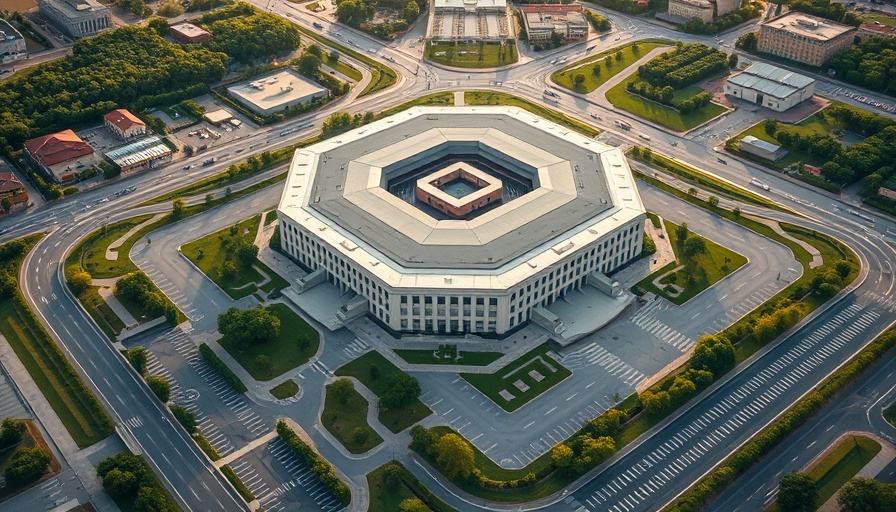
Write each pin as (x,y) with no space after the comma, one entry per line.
(841,464)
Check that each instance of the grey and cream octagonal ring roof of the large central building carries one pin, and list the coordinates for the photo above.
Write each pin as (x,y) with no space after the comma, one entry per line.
(336,190)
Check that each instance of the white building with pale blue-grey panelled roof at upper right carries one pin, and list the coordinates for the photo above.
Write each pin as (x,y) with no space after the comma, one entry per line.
(770,86)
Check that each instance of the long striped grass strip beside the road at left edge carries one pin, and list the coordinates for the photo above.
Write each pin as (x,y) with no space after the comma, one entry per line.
(81,413)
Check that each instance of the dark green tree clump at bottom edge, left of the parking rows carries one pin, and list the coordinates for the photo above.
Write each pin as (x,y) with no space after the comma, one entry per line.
(127,478)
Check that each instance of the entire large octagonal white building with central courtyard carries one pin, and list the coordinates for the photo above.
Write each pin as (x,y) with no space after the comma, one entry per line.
(458,220)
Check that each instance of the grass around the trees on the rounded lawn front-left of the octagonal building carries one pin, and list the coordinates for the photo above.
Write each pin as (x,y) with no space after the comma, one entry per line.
(285,353)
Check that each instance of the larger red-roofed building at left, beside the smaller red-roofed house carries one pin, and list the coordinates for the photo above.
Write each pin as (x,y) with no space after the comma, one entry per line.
(61,154)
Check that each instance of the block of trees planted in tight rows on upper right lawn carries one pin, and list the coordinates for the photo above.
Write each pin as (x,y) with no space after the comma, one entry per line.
(684,66)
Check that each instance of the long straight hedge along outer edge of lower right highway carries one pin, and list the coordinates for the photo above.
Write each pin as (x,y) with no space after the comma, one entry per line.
(752,452)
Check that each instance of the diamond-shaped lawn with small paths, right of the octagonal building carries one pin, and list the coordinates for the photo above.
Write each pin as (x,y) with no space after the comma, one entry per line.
(713,262)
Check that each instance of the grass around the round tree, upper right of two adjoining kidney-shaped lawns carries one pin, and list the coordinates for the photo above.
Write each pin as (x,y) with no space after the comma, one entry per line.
(395,420)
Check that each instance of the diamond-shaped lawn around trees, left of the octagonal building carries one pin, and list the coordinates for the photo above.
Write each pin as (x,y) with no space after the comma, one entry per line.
(209,253)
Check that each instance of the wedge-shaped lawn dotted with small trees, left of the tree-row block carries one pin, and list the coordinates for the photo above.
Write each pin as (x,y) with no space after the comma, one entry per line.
(564,77)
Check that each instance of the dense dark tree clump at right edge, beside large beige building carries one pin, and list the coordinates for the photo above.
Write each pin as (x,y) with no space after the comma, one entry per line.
(871,64)
